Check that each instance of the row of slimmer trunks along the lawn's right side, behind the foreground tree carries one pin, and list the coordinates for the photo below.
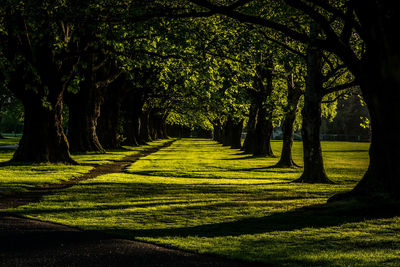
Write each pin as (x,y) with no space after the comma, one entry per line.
(260,126)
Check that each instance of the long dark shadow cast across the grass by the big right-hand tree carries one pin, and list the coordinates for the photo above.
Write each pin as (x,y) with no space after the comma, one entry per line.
(316,216)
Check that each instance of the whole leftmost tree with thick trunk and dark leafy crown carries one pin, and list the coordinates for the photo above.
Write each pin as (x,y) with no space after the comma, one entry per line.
(39,66)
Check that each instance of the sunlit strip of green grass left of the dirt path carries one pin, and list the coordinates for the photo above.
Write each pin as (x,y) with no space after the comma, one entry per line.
(15,177)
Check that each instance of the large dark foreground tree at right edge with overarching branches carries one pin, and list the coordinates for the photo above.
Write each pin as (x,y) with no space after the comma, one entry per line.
(375,66)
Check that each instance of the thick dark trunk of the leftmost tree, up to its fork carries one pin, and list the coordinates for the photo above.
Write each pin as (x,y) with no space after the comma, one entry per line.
(43,138)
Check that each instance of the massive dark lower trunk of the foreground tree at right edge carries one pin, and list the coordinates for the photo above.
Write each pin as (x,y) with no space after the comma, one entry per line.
(382,178)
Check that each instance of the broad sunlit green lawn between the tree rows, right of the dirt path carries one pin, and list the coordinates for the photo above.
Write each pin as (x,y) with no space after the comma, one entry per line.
(200,196)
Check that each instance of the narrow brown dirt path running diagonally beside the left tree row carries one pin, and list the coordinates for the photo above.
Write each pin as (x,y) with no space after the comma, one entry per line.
(35,194)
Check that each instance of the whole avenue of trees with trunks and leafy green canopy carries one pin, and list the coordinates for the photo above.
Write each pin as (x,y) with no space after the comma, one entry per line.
(96,75)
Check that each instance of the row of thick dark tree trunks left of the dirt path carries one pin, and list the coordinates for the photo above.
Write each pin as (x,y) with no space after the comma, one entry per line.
(102,113)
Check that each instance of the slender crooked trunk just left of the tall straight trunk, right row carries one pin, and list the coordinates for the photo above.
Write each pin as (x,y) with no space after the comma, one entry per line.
(293,97)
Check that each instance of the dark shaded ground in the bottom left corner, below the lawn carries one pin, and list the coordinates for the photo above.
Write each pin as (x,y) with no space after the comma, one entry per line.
(34,243)
